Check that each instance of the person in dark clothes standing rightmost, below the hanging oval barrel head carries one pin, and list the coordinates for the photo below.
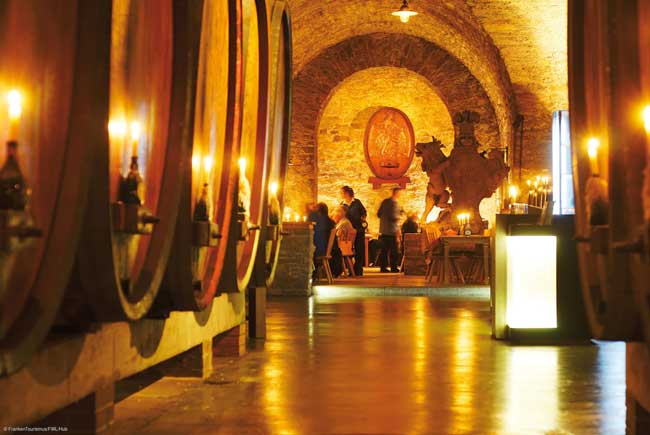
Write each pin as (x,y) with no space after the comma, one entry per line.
(389,214)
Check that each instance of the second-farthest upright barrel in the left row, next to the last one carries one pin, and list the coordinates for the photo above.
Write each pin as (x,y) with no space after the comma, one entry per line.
(247,216)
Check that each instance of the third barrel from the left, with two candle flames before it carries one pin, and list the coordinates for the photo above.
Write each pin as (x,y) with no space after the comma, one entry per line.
(204,220)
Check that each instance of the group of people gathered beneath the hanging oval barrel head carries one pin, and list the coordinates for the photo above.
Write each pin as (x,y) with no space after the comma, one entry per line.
(348,220)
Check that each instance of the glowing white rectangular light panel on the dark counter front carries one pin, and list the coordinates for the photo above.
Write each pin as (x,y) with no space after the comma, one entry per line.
(532,284)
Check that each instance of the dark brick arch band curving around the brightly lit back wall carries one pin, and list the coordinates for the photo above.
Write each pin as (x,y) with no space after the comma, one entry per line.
(315,82)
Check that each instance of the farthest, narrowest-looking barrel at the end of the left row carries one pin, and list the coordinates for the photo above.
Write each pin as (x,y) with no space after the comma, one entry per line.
(279,121)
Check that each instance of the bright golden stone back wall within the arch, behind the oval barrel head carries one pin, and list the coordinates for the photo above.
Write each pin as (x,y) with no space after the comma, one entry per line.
(342,127)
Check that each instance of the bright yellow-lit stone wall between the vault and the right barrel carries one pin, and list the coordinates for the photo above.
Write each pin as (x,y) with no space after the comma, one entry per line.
(532,38)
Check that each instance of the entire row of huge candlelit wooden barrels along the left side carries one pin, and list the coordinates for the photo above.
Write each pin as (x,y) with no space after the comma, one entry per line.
(151,144)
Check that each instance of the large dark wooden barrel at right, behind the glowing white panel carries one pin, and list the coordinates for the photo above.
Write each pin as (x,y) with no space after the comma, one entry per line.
(606,101)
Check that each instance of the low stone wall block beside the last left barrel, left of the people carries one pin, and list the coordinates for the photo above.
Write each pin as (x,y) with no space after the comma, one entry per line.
(295,264)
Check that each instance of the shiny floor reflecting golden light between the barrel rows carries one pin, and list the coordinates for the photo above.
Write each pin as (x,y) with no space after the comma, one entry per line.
(389,365)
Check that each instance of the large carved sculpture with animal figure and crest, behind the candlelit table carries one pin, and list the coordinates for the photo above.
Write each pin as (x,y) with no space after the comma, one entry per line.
(466,176)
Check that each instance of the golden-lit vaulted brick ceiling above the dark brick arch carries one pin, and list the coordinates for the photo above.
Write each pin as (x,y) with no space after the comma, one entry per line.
(449,24)
